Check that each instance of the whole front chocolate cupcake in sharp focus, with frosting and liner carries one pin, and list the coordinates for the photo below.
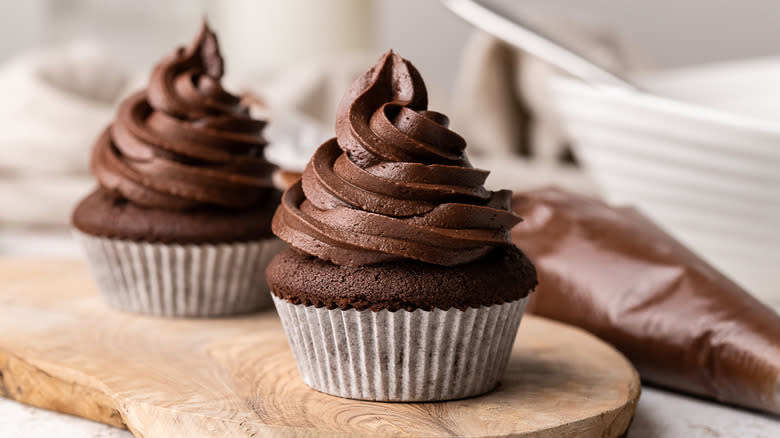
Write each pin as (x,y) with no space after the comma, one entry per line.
(401,283)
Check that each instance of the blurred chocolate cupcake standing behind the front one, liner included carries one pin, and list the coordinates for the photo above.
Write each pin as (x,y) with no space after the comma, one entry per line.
(180,224)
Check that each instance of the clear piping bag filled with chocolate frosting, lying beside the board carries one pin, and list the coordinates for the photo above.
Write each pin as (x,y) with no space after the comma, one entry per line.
(616,274)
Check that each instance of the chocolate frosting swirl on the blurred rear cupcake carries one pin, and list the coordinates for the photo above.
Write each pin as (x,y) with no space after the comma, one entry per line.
(185,142)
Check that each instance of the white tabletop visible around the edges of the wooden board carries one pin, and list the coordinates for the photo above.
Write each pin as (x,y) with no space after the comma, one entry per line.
(660,413)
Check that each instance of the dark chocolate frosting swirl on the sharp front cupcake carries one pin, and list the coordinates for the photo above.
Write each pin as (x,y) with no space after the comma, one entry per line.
(394,184)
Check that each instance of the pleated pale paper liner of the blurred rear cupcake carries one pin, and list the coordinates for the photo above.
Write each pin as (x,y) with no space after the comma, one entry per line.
(175,280)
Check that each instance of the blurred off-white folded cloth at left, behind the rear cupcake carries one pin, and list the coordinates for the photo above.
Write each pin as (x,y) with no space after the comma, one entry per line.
(55,102)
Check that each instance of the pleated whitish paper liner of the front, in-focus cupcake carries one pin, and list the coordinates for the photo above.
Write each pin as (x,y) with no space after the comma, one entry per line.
(401,356)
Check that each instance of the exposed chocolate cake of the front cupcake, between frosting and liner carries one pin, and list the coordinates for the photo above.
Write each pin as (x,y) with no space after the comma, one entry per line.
(502,276)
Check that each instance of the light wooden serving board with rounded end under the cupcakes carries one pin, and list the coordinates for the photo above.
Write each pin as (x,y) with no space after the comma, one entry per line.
(62,349)
